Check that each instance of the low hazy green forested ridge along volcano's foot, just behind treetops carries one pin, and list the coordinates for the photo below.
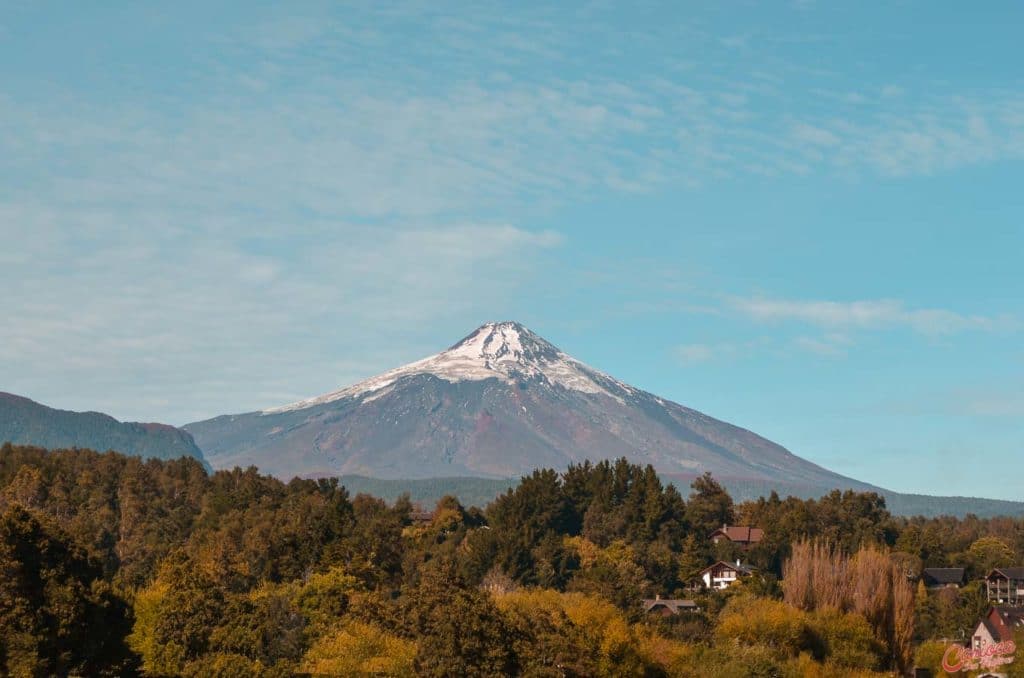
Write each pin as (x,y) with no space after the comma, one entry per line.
(480,492)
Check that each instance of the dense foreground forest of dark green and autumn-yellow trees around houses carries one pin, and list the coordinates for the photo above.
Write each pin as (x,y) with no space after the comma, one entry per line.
(118,566)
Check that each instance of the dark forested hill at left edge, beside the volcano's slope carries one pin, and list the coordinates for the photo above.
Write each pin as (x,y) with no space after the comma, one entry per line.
(27,422)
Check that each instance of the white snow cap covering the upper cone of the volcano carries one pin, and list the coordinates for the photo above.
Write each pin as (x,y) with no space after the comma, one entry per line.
(505,351)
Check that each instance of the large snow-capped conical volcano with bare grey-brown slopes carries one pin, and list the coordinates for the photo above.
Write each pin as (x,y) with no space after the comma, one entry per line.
(498,404)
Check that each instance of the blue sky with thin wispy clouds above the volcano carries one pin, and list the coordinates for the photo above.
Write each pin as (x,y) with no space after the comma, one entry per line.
(802,219)
